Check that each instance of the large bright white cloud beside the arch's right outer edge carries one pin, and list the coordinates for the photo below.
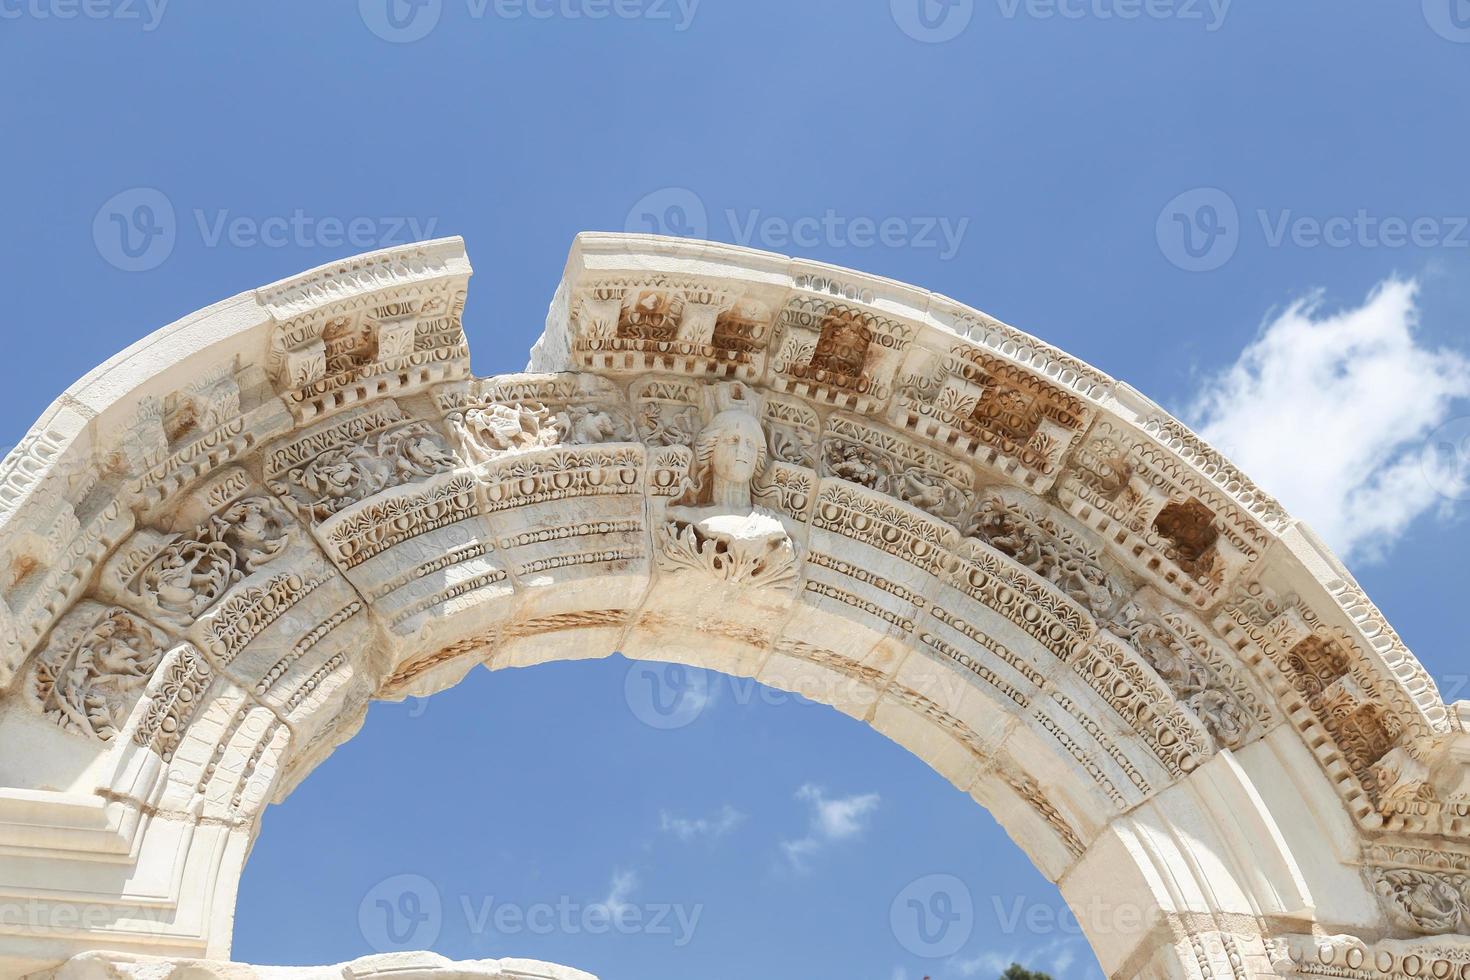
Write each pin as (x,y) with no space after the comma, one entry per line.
(1330,412)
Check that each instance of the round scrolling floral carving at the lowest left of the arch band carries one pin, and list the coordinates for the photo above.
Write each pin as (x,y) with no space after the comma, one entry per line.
(90,681)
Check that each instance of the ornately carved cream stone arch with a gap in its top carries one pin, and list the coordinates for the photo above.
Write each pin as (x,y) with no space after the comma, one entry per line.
(224,543)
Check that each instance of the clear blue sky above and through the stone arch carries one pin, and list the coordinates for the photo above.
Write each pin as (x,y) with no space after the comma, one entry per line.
(1256,214)
